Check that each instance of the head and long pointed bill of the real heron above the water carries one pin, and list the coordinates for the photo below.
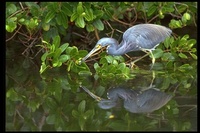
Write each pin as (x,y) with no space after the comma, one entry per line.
(100,44)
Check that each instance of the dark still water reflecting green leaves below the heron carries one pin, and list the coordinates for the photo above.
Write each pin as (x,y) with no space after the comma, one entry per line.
(55,101)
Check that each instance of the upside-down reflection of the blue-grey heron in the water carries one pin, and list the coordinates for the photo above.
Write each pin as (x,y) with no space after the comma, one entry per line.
(134,101)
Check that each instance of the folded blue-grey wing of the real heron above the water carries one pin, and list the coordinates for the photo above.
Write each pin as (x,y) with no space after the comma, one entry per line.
(145,36)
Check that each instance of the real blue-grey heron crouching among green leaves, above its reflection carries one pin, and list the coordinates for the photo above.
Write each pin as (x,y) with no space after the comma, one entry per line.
(139,37)
